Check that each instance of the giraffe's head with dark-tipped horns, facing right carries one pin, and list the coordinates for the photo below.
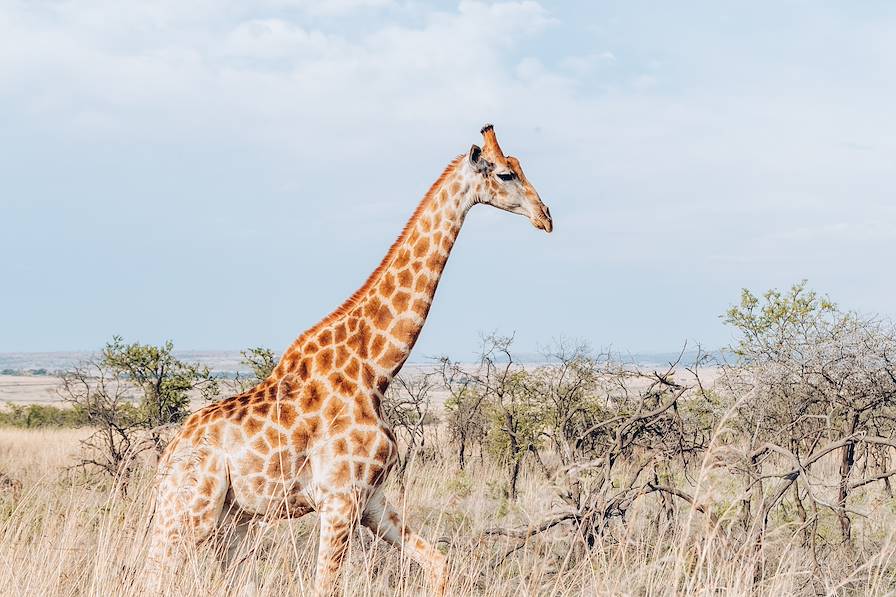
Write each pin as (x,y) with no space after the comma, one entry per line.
(504,184)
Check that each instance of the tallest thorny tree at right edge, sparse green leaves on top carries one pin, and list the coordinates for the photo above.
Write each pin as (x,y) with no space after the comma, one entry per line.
(809,380)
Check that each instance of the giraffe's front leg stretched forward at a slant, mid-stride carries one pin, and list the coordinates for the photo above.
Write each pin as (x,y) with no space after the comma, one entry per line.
(384,521)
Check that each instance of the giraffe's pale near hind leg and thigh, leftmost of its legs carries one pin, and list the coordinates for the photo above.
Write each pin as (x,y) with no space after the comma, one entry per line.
(192,488)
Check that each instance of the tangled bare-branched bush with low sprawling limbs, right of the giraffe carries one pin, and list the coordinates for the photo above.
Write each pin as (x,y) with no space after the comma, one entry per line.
(630,423)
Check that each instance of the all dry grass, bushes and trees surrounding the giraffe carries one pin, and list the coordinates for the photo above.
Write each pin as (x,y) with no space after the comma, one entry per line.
(766,472)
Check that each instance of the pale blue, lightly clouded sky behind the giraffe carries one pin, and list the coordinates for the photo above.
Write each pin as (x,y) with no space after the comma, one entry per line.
(223,173)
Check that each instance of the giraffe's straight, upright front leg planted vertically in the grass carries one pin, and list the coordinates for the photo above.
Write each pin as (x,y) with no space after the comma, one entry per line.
(338,515)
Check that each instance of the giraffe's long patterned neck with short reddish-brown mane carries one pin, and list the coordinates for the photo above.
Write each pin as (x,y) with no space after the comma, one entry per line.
(381,322)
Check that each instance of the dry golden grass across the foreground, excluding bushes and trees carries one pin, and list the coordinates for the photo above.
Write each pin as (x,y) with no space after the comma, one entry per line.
(63,534)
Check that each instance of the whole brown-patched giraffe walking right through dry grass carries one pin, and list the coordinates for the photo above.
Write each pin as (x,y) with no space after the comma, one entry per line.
(312,436)
